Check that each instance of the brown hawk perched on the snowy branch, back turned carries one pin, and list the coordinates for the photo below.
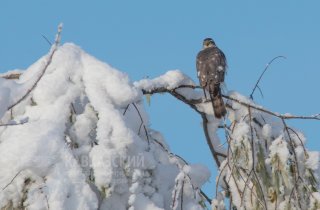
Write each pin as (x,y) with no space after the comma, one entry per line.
(211,68)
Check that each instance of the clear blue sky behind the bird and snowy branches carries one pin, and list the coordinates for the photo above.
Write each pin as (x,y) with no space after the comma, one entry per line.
(147,38)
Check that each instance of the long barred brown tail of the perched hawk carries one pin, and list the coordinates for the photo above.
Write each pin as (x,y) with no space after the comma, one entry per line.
(217,103)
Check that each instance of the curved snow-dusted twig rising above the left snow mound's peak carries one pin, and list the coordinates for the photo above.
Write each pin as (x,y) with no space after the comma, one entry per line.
(49,60)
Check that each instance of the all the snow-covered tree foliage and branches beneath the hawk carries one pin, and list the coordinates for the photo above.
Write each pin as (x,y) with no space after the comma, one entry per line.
(75,135)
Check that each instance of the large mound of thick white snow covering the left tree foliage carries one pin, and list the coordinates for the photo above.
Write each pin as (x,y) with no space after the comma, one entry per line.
(80,139)
